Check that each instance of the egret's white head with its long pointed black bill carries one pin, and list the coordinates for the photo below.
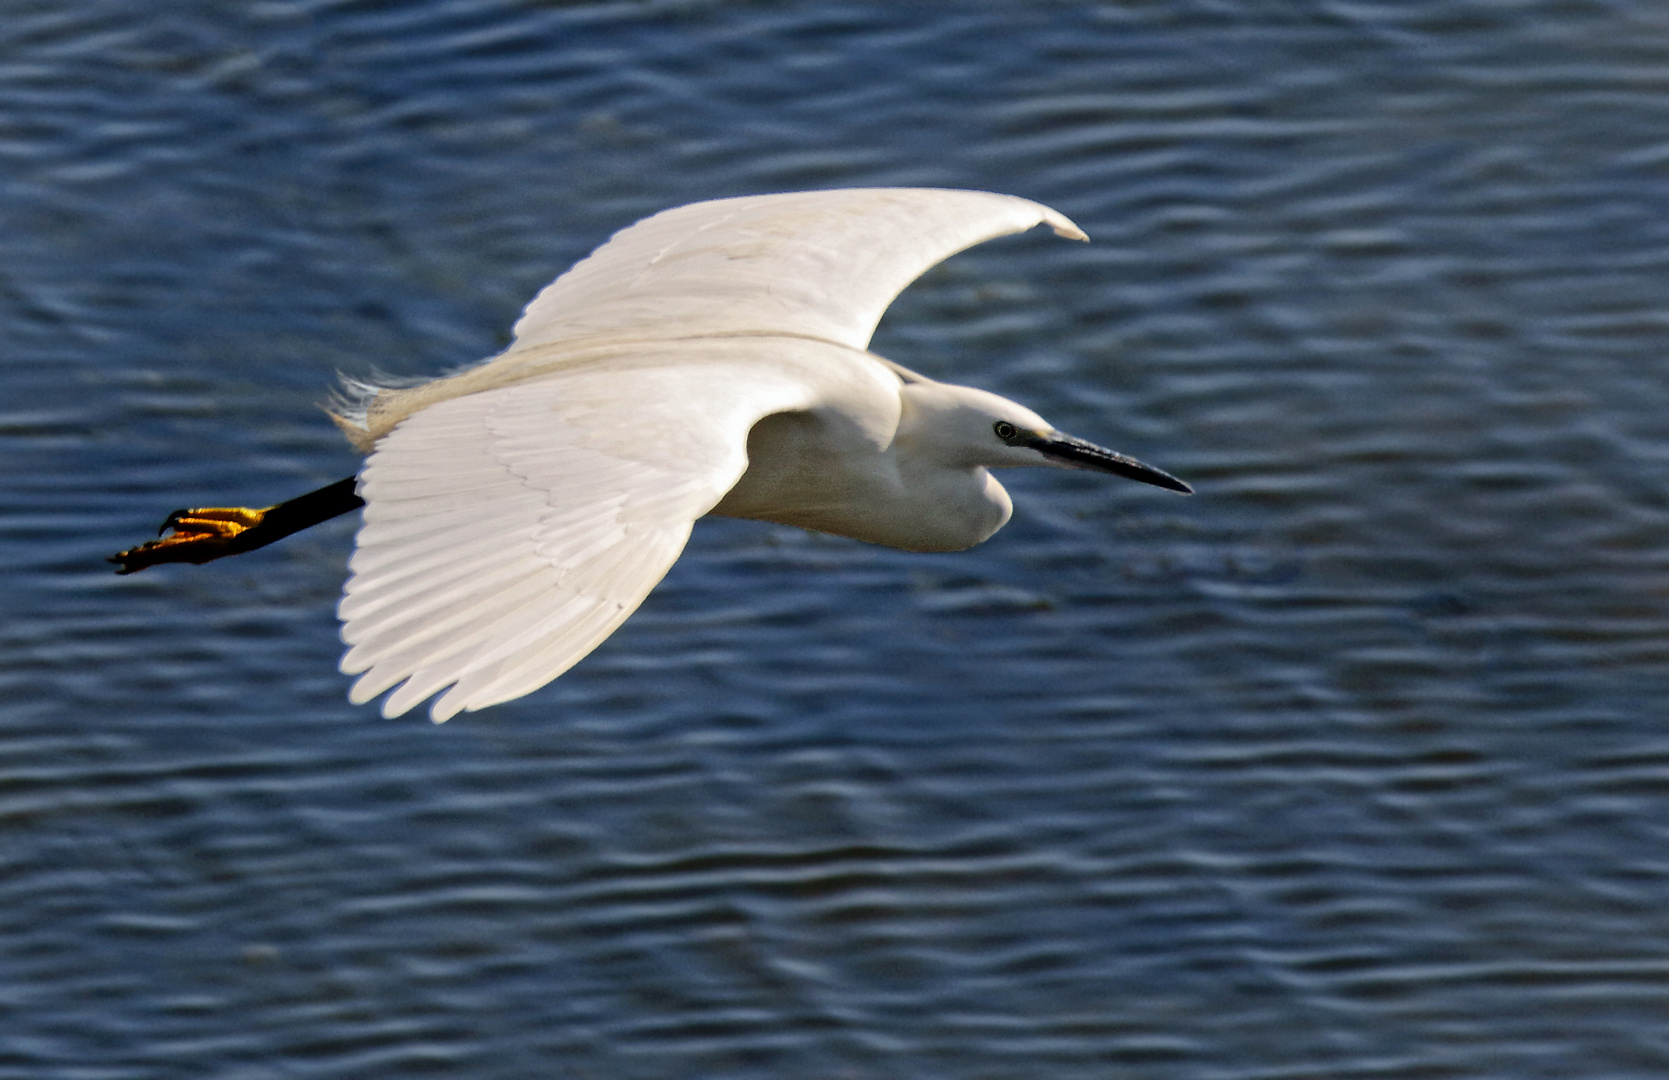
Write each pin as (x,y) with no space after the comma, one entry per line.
(967,428)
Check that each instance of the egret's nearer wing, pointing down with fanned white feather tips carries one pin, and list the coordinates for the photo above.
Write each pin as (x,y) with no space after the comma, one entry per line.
(510,532)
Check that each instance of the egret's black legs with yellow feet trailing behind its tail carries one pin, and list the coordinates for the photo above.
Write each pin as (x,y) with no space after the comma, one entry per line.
(216,532)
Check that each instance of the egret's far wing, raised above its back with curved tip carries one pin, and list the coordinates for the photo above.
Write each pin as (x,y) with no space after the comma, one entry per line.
(812,265)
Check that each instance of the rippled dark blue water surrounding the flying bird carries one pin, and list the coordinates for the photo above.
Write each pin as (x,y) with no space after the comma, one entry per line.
(1354,765)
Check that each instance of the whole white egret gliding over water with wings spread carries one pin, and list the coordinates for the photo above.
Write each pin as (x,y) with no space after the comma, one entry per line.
(710,360)
